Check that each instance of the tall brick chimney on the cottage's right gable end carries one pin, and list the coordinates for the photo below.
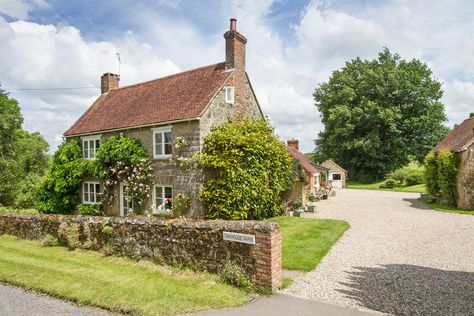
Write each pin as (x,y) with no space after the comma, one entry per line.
(234,48)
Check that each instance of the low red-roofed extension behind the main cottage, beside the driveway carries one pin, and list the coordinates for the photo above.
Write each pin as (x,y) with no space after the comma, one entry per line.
(315,175)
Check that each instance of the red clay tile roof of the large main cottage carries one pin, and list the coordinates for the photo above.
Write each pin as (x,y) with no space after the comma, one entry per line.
(176,97)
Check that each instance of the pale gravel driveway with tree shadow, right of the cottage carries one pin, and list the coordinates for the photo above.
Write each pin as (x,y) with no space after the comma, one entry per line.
(398,257)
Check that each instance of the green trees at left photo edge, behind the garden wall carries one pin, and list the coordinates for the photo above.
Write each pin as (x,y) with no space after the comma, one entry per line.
(23,156)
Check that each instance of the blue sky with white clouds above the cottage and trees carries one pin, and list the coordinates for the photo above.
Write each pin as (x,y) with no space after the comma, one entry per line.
(293,45)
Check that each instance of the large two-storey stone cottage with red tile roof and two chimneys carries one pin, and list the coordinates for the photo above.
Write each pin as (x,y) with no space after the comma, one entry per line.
(159,112)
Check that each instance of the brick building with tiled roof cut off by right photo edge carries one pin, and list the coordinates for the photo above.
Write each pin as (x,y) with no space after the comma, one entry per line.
(461,142)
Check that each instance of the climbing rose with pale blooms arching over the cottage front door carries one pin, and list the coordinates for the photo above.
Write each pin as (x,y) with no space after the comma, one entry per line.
(123,159)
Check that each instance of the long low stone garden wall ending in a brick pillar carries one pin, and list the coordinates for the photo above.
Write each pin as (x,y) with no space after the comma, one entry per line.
(196,244)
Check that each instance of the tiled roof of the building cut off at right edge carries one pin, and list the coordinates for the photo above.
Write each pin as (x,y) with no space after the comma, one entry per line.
(459,138)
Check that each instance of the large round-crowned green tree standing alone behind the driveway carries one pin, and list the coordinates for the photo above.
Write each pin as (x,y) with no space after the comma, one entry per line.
(378,113)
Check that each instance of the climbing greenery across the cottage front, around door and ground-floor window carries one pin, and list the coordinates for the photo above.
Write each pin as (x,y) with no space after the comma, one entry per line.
(119,159)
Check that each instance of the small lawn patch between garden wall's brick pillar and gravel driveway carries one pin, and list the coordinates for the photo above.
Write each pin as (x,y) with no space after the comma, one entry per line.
(305,241)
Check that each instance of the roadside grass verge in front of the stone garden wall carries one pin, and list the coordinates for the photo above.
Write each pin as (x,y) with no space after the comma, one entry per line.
(117,284)
